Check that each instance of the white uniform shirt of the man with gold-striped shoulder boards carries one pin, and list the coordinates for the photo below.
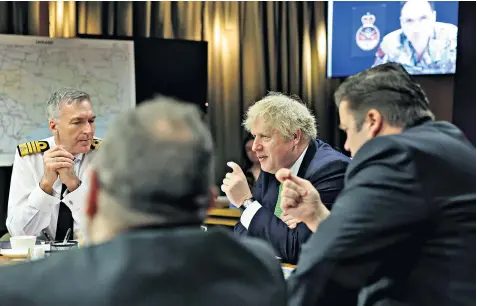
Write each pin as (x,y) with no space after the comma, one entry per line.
(30,209)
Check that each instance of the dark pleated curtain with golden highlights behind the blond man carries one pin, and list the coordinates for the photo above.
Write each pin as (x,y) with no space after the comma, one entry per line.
(254,47)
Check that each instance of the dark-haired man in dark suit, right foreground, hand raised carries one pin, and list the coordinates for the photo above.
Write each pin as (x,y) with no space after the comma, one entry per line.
(402,231)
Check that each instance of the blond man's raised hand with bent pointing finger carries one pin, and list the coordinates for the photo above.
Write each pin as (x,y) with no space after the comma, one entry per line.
(235,185)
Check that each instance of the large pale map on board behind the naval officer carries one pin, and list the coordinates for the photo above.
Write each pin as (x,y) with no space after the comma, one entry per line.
(32,68)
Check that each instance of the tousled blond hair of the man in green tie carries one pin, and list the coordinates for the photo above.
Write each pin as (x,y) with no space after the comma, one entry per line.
(284,113)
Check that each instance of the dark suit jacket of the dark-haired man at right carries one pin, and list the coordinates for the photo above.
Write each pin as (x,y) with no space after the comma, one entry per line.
(402,232)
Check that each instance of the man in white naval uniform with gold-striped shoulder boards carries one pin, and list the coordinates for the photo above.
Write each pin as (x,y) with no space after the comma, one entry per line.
(48,182)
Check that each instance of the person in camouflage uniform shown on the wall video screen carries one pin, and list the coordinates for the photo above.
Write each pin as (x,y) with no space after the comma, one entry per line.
(422,45)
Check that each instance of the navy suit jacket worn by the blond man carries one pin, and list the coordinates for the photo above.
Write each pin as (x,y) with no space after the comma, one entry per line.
(325,168)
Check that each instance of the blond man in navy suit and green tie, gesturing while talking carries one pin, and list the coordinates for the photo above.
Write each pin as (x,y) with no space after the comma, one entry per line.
(285,137)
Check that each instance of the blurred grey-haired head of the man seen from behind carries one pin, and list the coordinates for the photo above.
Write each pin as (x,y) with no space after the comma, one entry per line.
(157,159)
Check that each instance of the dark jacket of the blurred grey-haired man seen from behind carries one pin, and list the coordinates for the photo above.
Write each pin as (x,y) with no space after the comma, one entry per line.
(174,267)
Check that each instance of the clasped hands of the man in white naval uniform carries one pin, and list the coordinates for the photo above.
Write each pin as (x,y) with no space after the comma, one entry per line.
(54,159)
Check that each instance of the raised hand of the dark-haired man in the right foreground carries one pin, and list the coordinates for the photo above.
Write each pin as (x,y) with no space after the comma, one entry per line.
(300,199)
